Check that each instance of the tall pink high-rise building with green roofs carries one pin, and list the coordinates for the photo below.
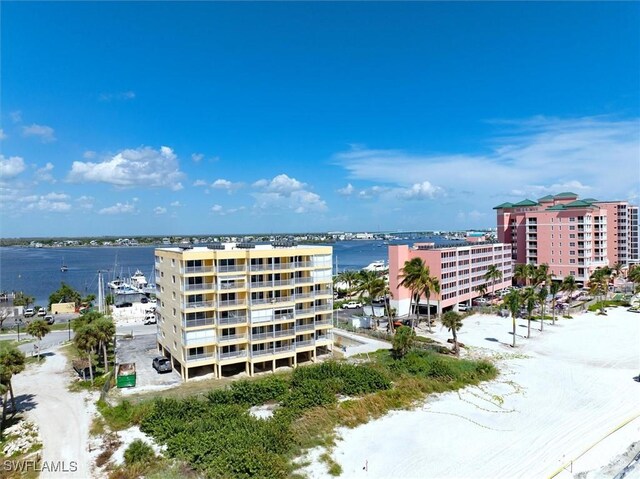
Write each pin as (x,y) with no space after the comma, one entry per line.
(572,236)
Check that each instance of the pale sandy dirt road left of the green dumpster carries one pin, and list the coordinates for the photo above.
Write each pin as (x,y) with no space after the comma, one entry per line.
(63,417)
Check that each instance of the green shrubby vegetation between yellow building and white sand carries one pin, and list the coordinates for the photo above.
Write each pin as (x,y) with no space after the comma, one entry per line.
(217,436)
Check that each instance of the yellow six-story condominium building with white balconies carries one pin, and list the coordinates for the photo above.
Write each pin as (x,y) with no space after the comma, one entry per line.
(243,307)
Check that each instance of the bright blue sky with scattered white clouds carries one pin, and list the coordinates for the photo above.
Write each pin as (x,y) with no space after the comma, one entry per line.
(217,118)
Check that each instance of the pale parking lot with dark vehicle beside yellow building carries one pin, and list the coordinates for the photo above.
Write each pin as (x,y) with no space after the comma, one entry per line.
(141,349)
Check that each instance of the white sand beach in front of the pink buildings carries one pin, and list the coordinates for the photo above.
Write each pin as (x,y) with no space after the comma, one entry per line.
(559,394)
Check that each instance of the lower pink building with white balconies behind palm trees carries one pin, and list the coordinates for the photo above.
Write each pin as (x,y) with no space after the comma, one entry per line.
(459,267)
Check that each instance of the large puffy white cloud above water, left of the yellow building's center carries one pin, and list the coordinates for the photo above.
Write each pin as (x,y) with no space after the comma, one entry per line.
(140,167)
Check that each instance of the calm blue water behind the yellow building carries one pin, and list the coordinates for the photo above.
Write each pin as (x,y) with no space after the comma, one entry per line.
(36,271)
